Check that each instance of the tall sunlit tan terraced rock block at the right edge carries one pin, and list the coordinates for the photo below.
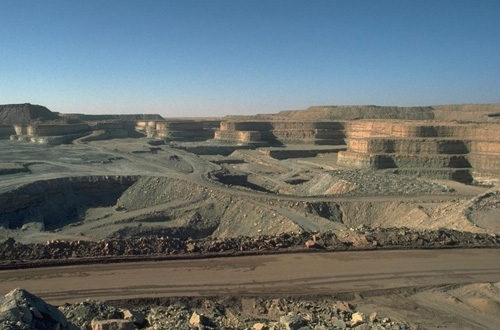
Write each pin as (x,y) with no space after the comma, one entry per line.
(459,151)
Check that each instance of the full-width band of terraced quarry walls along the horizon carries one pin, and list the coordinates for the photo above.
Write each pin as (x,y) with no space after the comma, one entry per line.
(461,142)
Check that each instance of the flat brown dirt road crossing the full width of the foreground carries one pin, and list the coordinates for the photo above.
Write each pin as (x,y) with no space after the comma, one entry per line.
(312,273)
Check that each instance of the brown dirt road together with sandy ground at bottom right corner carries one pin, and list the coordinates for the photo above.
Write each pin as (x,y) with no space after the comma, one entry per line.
(430,289)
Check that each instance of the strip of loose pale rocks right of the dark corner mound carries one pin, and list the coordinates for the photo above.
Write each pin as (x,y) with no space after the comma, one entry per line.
(226,313)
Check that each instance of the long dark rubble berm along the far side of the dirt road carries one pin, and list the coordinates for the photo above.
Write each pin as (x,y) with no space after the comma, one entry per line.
(14,253)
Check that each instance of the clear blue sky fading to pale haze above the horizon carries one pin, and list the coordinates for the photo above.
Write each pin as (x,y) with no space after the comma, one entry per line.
(218,57)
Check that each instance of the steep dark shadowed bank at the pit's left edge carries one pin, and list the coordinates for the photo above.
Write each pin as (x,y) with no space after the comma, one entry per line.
(54,203)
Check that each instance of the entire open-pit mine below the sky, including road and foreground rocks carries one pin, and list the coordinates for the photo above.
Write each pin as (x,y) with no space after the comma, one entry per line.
(329,186)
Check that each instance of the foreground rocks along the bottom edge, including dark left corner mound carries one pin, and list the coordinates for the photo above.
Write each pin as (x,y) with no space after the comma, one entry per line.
(22,310)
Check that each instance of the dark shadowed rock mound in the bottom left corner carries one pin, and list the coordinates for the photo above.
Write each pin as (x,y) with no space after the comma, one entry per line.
(20,309)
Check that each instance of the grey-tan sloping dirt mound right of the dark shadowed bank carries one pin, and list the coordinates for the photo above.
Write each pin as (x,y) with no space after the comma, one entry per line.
(185,209)
